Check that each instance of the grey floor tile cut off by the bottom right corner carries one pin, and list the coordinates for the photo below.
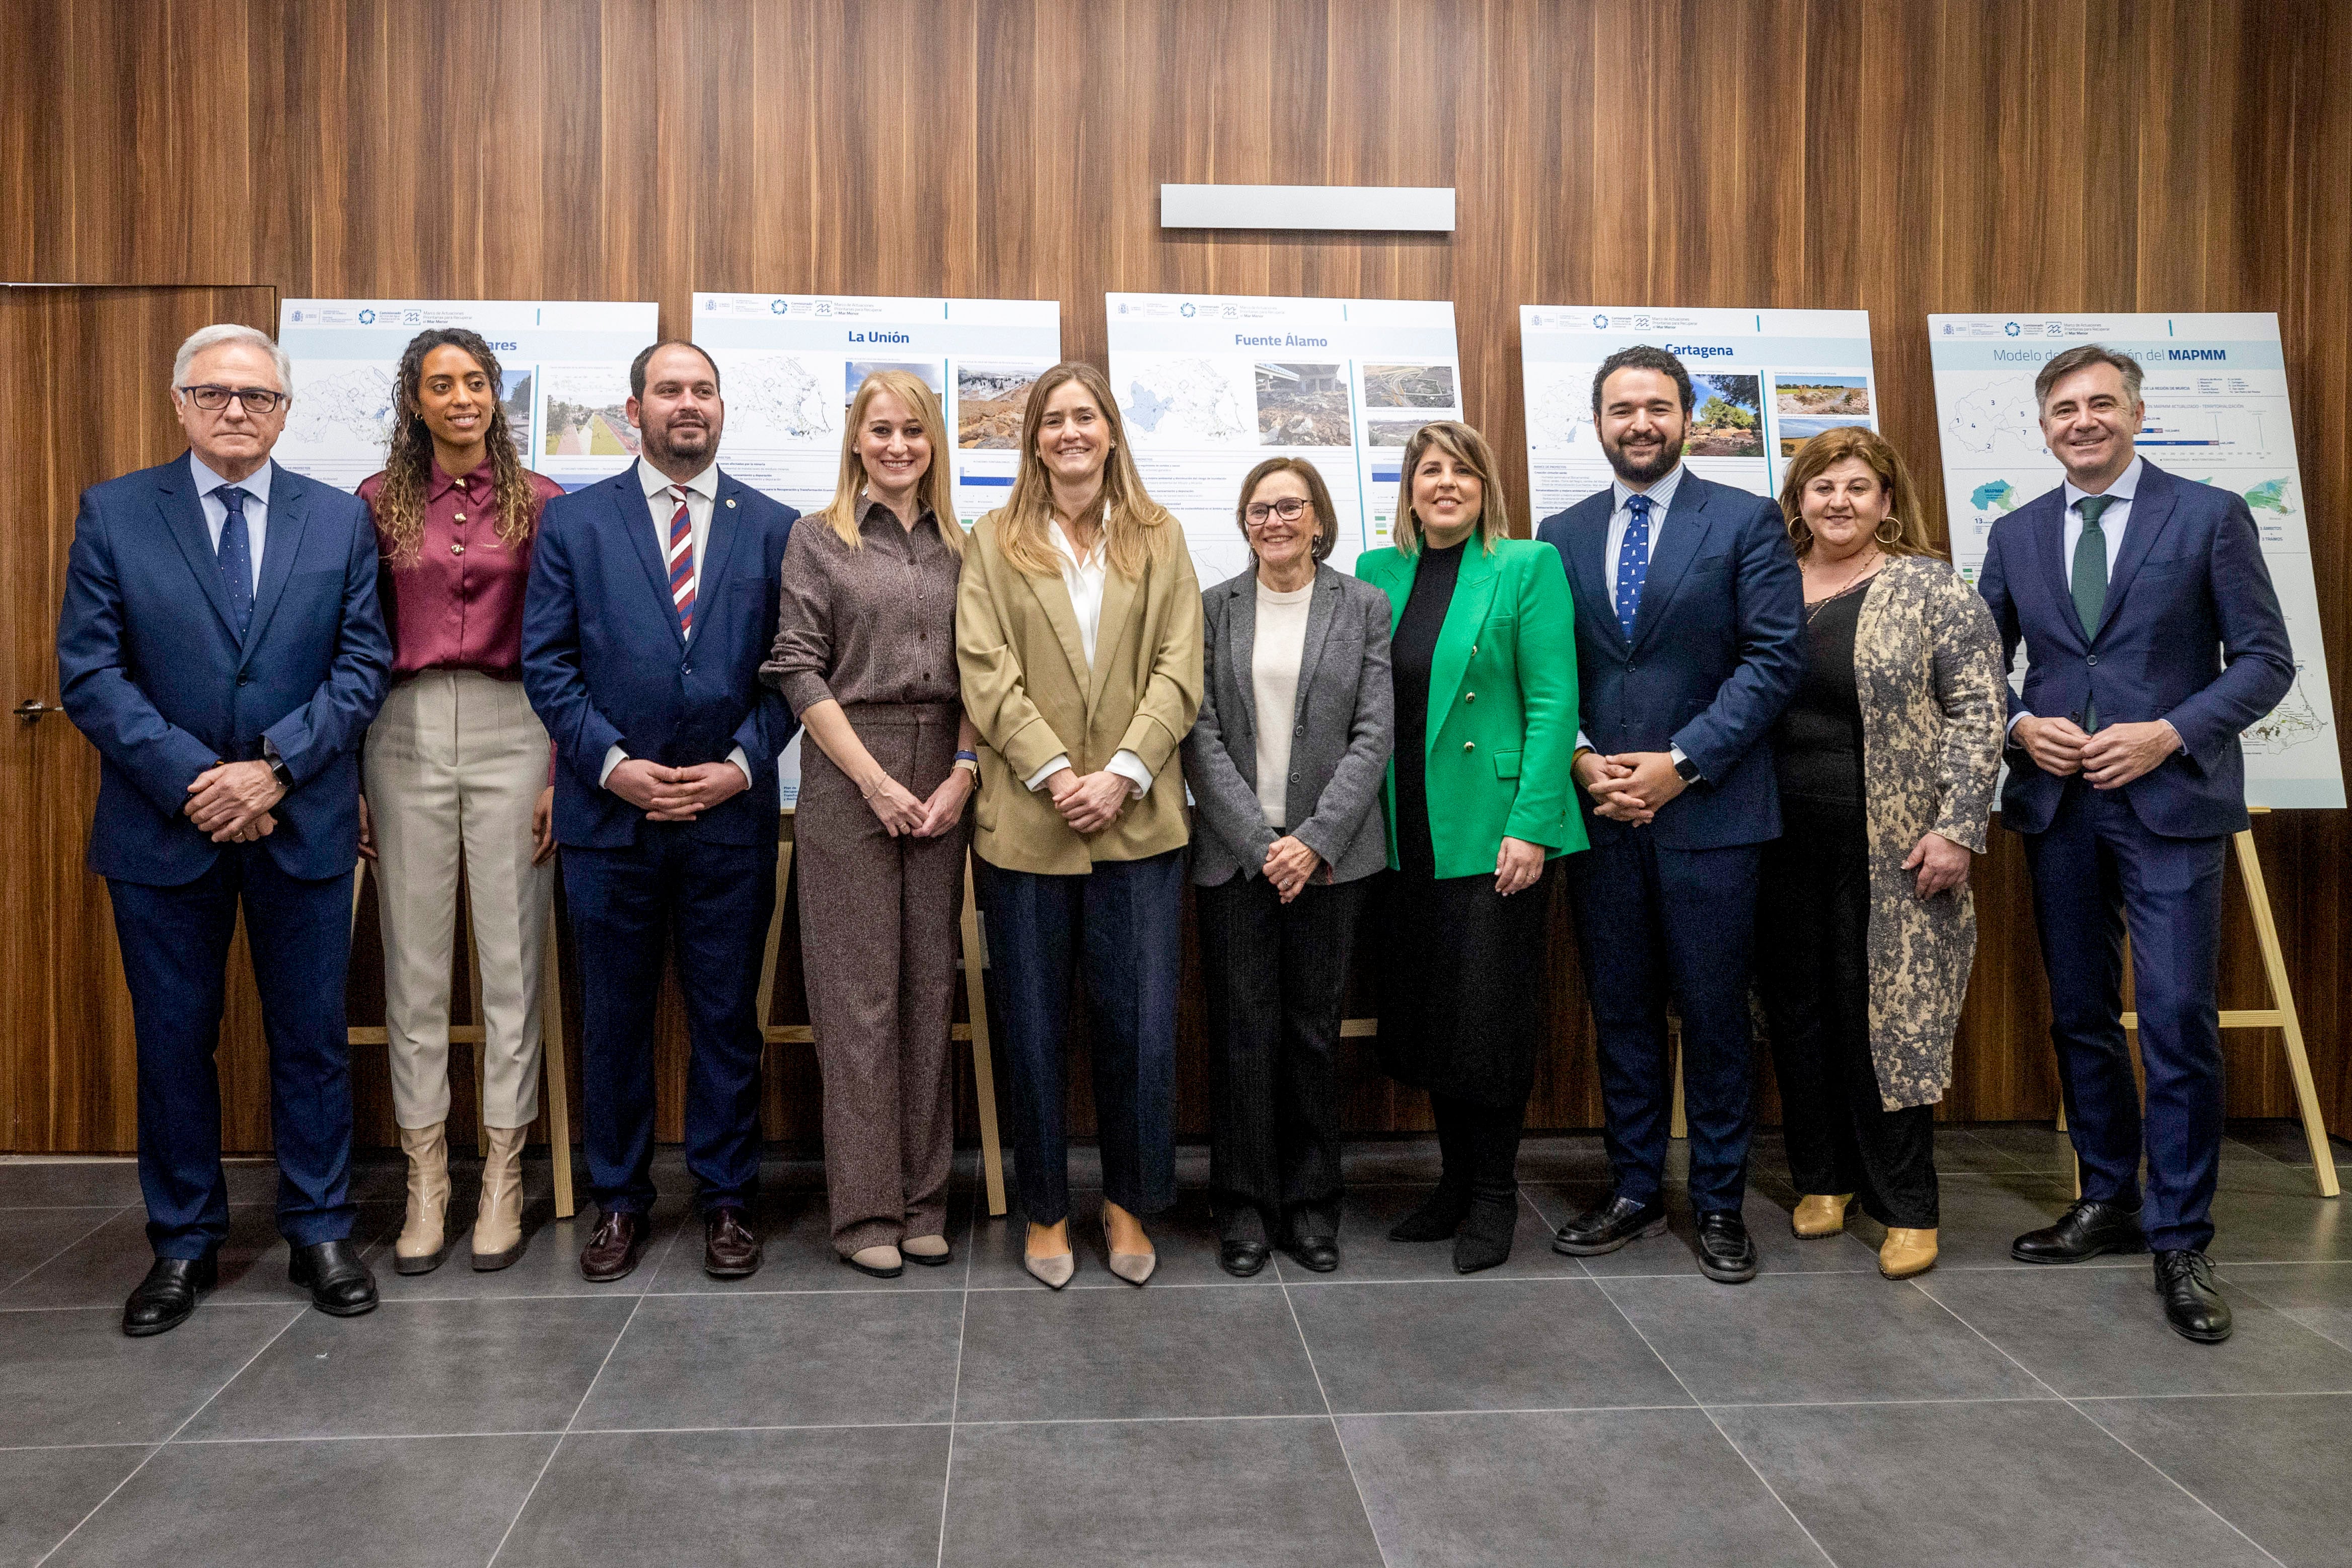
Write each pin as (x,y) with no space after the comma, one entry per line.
(2276,1466)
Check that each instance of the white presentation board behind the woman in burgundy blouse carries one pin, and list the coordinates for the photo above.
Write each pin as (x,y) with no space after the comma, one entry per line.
(563,373)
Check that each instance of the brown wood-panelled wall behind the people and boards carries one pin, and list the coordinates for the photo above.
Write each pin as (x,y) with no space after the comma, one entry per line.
(1899,156)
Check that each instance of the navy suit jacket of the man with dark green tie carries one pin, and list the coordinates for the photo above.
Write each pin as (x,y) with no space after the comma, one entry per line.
(2191,634)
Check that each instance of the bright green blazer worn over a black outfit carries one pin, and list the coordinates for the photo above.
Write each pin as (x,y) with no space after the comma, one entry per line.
(1502,725)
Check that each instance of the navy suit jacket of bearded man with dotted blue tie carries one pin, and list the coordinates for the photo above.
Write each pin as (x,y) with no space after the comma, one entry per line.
(1716,655)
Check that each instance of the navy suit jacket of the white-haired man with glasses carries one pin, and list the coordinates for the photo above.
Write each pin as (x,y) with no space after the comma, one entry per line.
(163,688)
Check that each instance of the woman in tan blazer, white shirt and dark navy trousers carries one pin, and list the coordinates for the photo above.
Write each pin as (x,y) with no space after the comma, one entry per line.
(1078,636)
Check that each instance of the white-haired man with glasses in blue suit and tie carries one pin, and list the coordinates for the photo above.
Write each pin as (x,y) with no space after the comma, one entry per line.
(225,652)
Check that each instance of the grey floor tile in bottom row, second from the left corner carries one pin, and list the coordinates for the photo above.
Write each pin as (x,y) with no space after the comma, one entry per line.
(302,1506)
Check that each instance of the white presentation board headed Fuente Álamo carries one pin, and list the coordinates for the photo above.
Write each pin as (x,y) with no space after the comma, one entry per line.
(1210,387)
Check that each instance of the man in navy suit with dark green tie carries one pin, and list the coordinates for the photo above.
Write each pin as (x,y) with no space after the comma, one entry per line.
(2153,638)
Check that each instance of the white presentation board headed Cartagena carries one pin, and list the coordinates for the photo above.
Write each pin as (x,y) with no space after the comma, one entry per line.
(1763,384)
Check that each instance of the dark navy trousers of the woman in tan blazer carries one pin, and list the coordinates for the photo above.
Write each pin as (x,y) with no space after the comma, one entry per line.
(1125,920)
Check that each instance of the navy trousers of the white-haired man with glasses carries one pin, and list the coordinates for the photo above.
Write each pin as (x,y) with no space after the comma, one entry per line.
(175,958)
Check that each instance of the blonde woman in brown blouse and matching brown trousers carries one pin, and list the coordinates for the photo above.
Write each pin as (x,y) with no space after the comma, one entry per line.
(867,659)
